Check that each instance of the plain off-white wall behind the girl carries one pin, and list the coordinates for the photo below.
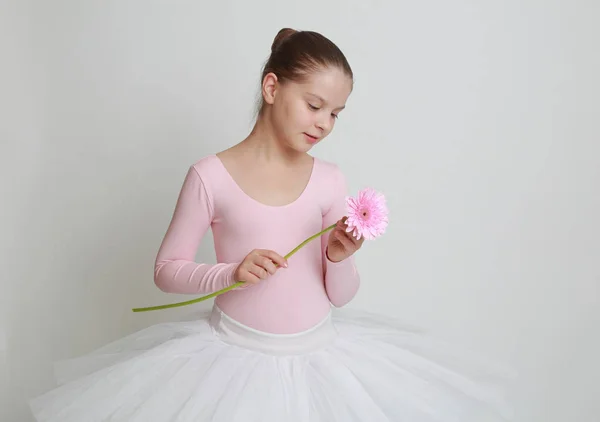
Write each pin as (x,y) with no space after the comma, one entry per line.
(478,121)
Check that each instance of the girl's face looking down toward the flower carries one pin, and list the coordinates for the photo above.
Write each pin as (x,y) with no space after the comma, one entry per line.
(305,113)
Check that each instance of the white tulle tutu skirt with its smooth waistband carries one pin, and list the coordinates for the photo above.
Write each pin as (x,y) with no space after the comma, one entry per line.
(353,366)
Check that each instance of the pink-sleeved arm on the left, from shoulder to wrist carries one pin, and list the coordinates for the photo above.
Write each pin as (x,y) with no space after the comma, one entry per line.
(175,270)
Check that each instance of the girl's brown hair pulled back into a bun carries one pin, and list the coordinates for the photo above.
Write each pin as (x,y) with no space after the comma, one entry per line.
(296,54)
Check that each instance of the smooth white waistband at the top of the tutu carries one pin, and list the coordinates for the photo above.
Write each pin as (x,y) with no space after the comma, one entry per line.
(234,332)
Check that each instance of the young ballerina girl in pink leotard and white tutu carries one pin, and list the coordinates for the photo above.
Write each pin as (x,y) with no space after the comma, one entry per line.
(273,349)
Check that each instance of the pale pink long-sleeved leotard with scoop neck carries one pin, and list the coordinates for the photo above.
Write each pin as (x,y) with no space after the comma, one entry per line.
(294,298)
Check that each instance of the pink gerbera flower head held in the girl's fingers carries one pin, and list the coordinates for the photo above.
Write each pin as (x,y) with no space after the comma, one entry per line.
(367,214)
